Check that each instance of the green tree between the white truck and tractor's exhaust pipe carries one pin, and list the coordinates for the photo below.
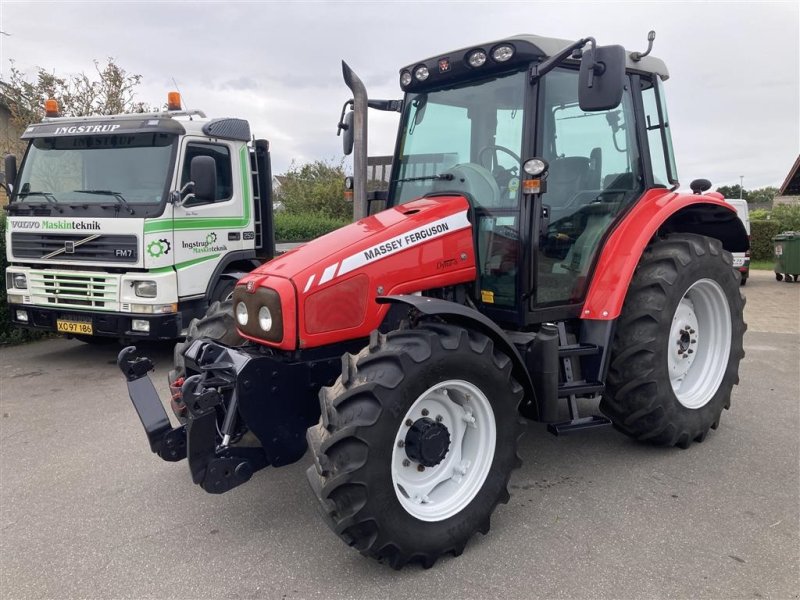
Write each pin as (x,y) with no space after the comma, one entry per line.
(316,188)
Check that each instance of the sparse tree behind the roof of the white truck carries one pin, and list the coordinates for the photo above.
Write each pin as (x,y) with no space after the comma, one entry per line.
(111,91)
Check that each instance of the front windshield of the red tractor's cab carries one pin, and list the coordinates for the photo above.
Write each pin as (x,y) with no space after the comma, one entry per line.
(466,138)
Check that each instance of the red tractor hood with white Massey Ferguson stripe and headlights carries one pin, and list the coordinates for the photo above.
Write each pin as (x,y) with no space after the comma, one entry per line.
(324,291)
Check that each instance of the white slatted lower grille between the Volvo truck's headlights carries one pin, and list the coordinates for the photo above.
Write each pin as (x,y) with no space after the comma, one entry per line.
(73,290)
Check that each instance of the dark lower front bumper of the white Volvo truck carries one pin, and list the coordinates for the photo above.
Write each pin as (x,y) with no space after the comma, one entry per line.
(116,325)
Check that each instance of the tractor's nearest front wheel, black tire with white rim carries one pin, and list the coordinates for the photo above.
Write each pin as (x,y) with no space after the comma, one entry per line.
(416,443)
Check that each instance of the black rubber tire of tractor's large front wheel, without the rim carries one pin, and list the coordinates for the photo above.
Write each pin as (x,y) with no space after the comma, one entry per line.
(354,403)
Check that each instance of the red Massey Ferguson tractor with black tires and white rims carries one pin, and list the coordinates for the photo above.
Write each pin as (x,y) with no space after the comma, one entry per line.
(532,252)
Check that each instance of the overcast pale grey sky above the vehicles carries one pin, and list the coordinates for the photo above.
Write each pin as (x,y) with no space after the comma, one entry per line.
(733,91)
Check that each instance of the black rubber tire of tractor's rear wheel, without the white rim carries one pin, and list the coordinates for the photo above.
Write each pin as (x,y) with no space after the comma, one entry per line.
(638,397)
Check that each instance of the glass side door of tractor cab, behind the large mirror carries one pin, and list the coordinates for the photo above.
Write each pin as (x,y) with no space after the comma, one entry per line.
(595,172)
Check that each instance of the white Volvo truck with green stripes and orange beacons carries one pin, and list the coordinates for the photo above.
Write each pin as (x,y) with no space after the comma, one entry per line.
(128,226)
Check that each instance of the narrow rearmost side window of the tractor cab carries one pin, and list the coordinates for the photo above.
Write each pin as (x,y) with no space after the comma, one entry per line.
(659,138)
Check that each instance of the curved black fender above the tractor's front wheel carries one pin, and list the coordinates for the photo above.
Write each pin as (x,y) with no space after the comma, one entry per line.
(458,314)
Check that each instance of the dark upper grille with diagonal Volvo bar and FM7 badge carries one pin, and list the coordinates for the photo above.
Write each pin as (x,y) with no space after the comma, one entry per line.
(80,247)
